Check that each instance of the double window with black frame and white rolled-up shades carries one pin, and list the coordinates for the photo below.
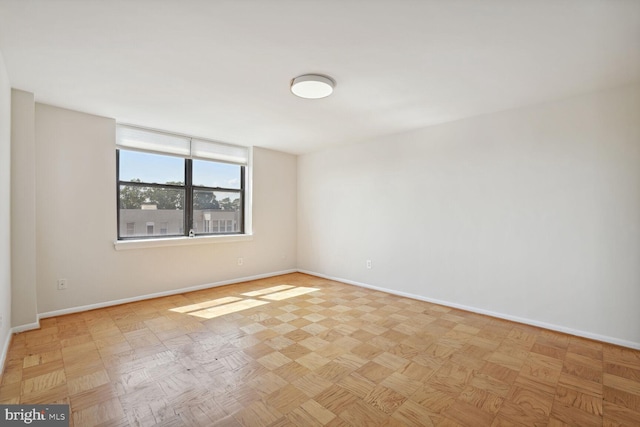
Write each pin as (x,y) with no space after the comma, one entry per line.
(179,184)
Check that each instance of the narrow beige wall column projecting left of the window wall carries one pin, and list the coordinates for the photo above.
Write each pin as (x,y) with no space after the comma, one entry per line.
(23,211)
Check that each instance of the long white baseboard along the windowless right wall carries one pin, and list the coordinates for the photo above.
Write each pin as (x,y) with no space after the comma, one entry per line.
(531,322)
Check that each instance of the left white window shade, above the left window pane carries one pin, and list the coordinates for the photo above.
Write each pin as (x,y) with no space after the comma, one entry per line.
(141,139)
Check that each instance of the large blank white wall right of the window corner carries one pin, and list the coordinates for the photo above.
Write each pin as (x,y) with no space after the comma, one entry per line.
(531,214)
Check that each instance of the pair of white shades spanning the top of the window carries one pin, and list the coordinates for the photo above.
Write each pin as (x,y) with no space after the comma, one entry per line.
(159,142)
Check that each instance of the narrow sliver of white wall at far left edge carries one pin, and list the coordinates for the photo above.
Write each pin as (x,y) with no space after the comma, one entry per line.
(5,210)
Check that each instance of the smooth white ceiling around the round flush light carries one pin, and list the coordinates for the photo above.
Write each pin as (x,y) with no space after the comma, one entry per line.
(221,69)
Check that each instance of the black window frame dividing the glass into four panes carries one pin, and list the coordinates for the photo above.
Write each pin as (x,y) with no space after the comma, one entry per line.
(189,189)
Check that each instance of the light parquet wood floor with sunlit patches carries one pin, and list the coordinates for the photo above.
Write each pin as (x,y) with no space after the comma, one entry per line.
(297,350)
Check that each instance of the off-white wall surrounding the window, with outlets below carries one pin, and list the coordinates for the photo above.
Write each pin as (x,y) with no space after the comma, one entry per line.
(76,222)
